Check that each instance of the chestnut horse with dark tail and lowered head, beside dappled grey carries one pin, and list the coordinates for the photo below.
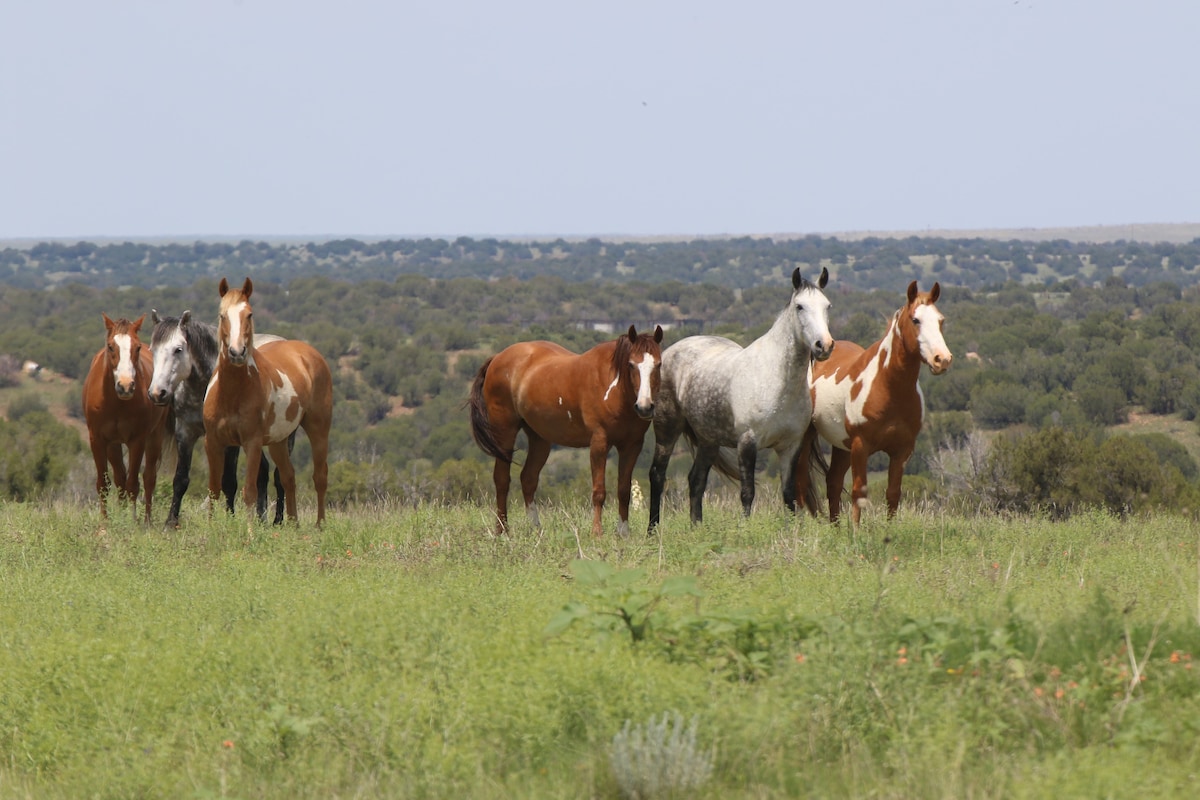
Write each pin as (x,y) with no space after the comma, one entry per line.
(601,400)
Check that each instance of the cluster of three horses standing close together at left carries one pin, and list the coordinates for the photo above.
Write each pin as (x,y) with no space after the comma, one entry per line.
(238,389)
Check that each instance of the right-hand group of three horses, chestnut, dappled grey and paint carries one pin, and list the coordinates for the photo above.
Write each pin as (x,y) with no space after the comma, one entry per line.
(781,393)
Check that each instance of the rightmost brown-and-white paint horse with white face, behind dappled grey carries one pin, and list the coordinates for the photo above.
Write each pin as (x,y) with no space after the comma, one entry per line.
(869,401)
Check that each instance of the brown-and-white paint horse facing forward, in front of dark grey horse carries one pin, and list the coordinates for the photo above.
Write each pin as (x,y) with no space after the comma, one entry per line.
(260,396)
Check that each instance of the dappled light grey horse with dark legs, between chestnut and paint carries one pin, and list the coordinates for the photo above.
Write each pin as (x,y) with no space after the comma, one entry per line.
(719,395)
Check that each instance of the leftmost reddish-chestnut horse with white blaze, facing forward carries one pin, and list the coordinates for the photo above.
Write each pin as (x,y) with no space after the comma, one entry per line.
(119,413)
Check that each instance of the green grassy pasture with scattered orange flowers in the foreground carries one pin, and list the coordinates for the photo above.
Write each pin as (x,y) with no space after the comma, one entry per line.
(411,653)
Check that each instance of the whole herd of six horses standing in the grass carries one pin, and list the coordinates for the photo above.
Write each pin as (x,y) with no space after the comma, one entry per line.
(784,392)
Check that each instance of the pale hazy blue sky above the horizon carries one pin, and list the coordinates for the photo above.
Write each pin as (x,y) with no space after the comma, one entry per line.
(145,118)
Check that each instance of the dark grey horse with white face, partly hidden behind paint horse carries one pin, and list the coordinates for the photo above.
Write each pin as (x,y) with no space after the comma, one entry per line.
(185,354)
